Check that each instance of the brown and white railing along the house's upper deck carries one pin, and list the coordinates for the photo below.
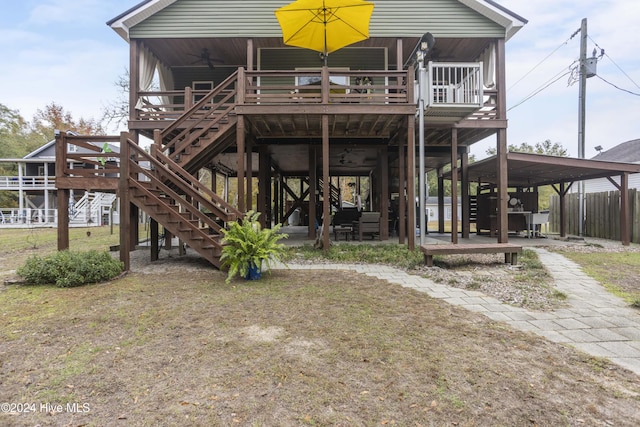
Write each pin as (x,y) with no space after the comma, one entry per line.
(449,84)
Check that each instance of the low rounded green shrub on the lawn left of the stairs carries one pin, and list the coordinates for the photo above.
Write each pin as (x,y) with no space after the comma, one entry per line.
(67,269)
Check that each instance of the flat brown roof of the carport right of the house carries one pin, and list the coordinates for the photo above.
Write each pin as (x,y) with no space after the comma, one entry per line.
(531,170)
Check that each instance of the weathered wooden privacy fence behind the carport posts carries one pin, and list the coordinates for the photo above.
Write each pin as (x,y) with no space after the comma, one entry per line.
(602,214)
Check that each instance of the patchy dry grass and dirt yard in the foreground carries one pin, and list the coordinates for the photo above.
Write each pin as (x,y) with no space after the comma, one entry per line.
(171,344)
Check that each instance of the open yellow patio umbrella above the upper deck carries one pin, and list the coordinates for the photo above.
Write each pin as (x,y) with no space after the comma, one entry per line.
(324,25)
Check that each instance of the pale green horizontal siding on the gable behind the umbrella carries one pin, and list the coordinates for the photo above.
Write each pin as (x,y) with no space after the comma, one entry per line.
(250,18)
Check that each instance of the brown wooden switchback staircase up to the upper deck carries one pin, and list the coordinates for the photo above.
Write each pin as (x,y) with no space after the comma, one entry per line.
(162,182)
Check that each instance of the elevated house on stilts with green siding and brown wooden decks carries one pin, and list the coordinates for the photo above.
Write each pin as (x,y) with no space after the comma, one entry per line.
(232,98)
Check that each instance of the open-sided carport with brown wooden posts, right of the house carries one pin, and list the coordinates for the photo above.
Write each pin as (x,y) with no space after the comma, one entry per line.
(527,170)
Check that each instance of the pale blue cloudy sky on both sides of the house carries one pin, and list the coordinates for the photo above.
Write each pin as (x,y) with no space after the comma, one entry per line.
(62,51)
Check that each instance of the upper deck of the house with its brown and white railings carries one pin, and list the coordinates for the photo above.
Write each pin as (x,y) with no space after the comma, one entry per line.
(290,104)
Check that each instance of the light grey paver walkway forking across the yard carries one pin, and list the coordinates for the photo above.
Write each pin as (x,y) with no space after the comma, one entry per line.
(596,322)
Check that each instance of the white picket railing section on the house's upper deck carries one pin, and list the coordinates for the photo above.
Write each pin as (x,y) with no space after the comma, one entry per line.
(455,83)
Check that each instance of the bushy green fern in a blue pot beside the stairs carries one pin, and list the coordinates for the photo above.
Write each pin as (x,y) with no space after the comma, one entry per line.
(247,245)
